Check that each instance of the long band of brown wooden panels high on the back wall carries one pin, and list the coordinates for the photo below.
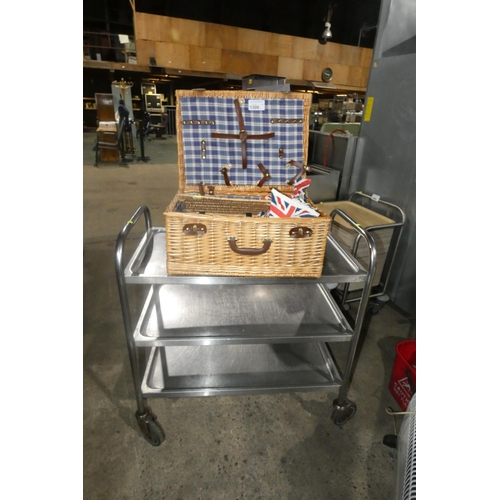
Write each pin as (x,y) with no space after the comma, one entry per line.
(197,46)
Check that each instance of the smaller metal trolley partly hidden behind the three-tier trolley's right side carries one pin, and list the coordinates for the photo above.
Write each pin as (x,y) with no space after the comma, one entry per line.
(378,206)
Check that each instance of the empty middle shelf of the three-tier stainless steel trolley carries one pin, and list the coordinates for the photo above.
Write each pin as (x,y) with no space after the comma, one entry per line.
(185,314)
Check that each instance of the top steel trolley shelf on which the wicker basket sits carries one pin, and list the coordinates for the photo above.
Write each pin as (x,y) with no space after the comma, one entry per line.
(148,266)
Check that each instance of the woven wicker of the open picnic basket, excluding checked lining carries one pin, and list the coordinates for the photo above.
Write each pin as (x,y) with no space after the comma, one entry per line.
(231,213)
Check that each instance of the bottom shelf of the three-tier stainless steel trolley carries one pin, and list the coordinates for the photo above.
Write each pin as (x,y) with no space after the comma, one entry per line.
(219,370)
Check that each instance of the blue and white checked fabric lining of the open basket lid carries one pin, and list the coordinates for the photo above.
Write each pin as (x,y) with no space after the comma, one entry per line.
(223,152)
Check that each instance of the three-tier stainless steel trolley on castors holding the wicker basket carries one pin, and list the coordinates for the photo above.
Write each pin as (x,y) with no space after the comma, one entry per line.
(211,336)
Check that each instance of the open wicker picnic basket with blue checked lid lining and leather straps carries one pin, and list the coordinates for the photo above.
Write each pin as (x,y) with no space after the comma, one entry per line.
(234,147)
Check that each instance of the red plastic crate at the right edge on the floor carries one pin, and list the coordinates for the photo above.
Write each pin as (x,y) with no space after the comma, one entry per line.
(406,360)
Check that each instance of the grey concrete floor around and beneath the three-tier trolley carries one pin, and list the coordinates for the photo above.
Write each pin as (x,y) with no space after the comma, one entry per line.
(281,446)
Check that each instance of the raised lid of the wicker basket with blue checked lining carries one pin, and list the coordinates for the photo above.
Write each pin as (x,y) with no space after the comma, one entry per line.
(241,140)
